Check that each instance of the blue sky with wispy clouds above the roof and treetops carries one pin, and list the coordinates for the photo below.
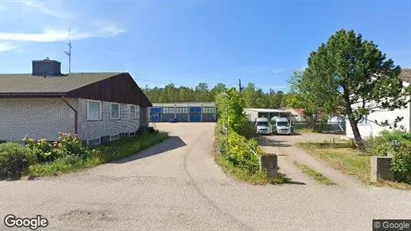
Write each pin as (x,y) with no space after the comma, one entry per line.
(187,42)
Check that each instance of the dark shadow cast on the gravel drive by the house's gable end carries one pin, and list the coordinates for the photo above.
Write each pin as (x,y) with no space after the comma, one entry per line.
(173,142)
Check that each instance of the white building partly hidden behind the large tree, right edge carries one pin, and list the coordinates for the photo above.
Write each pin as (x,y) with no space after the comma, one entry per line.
(368,127)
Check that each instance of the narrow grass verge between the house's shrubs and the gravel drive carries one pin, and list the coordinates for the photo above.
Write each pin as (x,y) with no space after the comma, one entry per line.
(99,155)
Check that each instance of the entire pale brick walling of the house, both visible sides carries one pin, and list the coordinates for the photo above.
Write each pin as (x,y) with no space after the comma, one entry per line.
(44,118)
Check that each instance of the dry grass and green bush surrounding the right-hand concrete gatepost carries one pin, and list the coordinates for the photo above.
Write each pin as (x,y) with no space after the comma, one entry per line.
(346,157)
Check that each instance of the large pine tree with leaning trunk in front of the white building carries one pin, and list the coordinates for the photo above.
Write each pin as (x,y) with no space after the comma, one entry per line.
(352,76)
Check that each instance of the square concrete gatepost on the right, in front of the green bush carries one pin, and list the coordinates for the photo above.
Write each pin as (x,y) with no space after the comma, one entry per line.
(381,168)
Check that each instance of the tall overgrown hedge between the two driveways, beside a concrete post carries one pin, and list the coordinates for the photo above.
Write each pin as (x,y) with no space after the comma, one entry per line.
(236,149)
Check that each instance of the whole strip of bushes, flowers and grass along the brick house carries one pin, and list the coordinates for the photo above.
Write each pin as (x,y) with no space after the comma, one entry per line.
(42,158)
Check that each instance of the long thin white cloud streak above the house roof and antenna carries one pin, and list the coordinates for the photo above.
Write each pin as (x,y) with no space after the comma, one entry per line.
(52,35)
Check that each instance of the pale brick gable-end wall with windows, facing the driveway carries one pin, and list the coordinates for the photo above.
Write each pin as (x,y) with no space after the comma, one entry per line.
(95,129)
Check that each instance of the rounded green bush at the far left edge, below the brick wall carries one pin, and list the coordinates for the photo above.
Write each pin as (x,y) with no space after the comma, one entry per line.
(14,159)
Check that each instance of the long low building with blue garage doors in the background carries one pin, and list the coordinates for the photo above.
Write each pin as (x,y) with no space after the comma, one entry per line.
(183,112)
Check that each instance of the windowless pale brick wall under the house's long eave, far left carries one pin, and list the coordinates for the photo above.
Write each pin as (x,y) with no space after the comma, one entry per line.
(37,118)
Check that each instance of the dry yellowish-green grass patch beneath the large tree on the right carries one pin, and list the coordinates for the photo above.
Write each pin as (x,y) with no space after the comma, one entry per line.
(349,161)
